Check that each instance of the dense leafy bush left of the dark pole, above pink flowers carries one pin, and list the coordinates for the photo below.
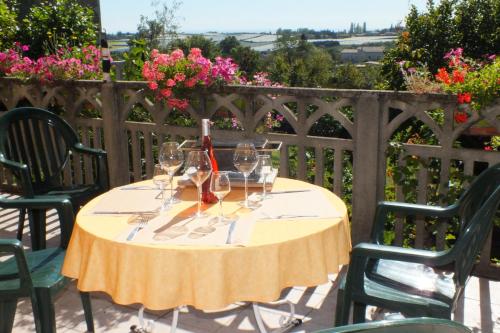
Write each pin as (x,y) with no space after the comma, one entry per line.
(58,24)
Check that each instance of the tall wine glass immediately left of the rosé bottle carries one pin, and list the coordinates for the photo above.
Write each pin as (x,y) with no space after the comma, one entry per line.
(198,169)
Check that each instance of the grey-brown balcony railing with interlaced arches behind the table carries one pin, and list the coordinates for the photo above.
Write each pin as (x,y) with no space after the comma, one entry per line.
(351,160)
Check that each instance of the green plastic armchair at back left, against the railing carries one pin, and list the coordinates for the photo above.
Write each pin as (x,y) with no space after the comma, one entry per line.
(35,145)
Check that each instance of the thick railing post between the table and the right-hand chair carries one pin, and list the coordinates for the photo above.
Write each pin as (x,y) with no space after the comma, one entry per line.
(366,154)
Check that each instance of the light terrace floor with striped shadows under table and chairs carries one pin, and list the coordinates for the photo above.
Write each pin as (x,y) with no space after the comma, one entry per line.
(479,309)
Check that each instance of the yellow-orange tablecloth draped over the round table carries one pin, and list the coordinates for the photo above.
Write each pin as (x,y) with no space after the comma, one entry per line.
(280,254)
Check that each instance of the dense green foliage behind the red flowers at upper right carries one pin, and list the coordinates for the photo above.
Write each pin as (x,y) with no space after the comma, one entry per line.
(473,25)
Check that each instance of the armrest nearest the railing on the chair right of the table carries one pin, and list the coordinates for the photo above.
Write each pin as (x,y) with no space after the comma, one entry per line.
(406,209)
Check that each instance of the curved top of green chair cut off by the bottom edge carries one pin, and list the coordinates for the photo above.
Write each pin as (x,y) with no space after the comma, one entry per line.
(413,325)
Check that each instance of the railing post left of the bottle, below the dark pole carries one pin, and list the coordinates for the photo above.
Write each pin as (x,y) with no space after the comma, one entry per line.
(115,139)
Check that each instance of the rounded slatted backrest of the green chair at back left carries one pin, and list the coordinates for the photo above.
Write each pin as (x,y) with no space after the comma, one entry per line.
(41,140)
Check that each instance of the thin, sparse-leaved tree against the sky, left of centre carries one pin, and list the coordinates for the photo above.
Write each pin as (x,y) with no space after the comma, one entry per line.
(163,25)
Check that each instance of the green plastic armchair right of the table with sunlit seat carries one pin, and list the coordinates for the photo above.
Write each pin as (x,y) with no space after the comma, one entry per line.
(420,283)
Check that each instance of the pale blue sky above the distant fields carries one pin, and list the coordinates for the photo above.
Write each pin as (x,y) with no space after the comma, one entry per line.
(262,15)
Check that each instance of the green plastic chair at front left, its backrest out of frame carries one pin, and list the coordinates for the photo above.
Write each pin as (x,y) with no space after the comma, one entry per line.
(37,274)
